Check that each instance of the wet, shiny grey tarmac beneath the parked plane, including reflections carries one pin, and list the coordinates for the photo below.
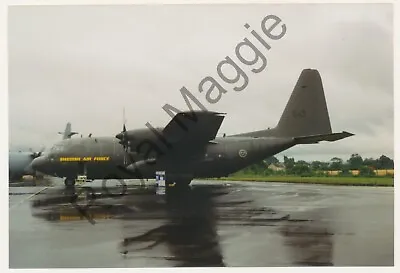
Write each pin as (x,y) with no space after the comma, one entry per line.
(209,224)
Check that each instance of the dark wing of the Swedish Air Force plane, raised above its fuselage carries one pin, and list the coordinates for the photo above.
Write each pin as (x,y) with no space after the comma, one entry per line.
(192,129)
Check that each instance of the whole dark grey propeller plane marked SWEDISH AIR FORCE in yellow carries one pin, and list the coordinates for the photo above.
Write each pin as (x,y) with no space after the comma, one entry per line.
(188,148)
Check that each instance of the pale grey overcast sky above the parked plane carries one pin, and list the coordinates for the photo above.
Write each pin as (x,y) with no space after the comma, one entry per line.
(83,64)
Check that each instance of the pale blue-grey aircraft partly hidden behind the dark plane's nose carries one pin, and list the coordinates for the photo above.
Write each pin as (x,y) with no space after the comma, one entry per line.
(19,161)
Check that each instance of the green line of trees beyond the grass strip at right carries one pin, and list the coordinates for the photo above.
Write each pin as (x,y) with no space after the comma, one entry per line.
(290,166)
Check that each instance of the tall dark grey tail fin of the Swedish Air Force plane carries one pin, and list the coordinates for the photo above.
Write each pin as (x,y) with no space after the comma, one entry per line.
(306,112)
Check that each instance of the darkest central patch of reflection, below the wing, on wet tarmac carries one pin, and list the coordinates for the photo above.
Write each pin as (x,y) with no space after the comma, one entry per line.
(189,231)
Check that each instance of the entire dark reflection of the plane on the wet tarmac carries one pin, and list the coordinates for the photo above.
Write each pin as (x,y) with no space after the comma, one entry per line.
(186,224)
